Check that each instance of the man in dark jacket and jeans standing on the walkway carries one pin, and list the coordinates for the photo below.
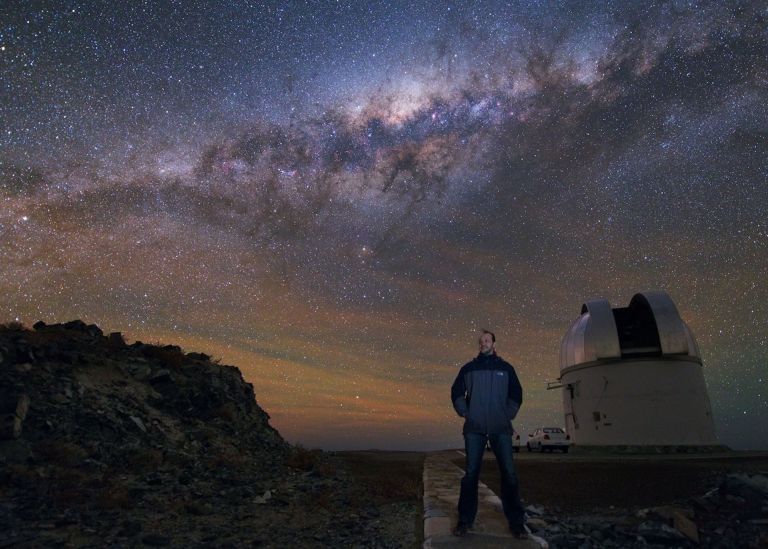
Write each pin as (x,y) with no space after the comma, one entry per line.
(488,395)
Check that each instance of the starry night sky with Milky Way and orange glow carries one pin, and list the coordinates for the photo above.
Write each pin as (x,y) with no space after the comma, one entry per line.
(336,196)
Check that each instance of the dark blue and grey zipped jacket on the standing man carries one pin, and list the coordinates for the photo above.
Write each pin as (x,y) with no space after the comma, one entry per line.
(487,394)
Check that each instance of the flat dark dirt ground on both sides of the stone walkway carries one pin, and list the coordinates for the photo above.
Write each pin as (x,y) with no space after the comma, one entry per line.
(569,484)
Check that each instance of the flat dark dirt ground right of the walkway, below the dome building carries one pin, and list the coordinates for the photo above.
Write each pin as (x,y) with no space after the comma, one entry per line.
(574,485)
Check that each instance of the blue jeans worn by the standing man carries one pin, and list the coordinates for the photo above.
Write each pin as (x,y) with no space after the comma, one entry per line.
(474,445)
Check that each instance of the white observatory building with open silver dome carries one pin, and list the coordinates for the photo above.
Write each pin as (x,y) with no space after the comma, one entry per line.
(633,376)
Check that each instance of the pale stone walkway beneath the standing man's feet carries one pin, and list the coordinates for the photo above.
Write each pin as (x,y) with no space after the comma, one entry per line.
(441,497)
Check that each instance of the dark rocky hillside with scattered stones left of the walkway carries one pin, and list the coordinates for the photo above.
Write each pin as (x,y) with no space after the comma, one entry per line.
(110,444)
